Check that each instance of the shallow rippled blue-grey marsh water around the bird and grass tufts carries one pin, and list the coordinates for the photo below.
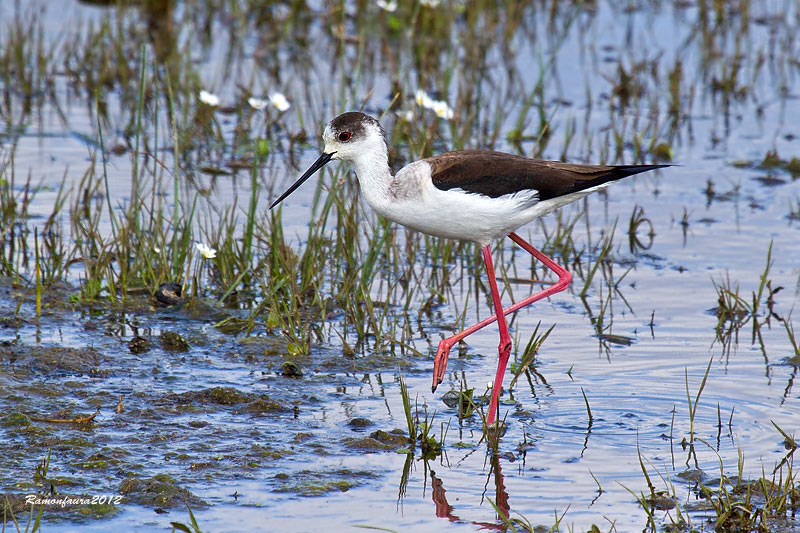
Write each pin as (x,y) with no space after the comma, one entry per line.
(551,451)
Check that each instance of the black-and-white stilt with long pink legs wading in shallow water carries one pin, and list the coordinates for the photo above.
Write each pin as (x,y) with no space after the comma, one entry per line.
(475,195)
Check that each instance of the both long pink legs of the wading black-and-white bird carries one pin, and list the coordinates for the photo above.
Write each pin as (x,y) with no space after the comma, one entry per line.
(442,354)
